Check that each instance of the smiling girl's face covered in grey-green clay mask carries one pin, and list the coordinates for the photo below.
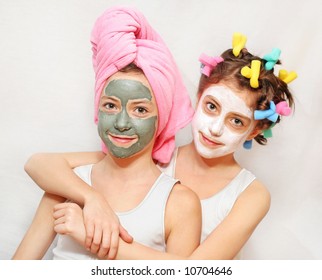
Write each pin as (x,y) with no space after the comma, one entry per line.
(127,117)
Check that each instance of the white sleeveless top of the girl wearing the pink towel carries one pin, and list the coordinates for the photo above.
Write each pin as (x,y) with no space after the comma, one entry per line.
(145,222)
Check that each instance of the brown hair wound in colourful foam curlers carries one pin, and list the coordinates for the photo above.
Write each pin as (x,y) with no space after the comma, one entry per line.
(271,88)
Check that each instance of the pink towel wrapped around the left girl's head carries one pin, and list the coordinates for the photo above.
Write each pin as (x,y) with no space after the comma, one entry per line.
(122,35)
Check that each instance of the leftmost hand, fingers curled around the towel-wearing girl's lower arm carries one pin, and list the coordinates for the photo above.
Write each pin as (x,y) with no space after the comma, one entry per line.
(69,220)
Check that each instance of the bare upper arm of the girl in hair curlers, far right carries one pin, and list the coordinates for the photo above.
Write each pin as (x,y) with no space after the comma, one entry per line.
(231,235)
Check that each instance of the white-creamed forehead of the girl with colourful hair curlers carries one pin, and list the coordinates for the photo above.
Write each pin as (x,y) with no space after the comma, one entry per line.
(230,99)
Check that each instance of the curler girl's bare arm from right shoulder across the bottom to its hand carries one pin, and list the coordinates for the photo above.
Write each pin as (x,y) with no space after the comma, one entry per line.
(220,244)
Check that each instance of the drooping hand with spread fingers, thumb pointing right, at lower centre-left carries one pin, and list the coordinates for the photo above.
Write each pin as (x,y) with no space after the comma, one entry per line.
(103,228)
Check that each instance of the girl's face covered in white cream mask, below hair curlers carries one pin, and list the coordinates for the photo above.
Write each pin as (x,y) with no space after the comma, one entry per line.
(222,122)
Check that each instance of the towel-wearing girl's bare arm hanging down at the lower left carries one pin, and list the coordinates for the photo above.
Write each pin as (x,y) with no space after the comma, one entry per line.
(41,233)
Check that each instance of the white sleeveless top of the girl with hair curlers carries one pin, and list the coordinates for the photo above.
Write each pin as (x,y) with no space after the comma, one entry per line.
(216,207)
